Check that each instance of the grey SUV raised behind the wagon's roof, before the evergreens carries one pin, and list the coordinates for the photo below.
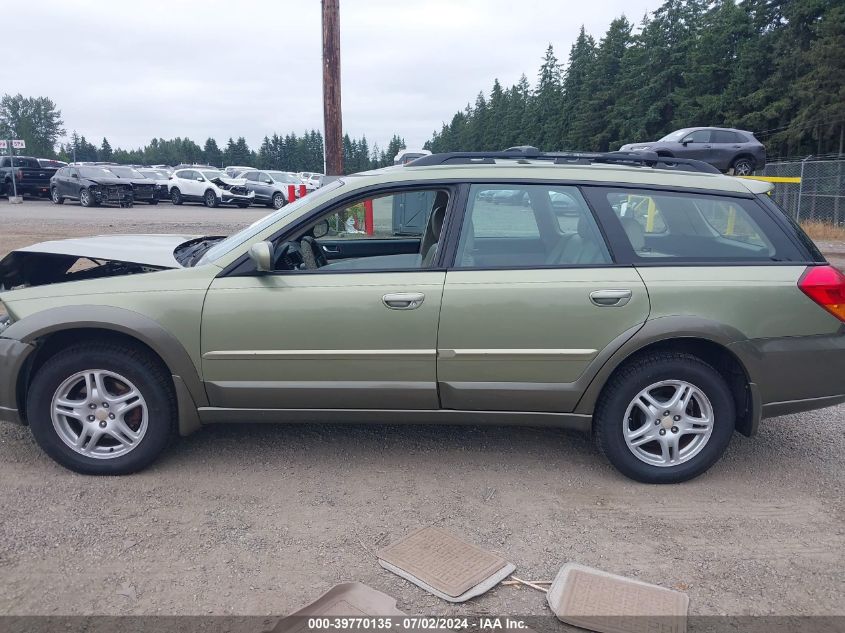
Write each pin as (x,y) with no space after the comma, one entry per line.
(724,148)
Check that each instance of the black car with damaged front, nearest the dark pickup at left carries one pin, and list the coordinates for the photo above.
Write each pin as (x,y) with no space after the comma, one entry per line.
(91,186)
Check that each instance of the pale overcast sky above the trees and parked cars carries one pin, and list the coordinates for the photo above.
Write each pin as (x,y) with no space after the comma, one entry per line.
(133,70)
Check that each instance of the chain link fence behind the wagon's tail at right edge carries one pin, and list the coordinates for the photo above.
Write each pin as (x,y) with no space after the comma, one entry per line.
(819,197)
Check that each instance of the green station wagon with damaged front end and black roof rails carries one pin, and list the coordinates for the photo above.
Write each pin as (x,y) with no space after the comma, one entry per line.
(649,301)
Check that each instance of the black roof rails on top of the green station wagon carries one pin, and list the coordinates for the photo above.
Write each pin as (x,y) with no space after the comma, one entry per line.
(526,153)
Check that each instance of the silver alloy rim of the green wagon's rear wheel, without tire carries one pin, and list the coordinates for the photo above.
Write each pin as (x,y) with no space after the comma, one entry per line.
(668,423)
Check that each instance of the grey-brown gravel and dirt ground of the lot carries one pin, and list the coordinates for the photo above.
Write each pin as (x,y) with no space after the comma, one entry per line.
(262,519)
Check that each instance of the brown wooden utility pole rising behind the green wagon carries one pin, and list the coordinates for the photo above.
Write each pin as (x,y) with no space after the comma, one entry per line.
(332,121)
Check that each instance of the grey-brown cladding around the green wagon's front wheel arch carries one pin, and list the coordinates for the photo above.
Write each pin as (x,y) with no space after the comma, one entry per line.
(54,327)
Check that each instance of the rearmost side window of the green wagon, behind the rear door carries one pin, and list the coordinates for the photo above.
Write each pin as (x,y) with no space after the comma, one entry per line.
(665,226)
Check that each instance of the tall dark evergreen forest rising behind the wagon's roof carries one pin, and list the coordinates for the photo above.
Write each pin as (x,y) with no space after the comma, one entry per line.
(774,67)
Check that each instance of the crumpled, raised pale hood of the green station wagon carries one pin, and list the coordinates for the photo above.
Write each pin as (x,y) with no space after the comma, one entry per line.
(89,257)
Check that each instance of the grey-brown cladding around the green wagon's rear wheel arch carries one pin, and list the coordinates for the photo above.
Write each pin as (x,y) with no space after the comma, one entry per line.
(707,340)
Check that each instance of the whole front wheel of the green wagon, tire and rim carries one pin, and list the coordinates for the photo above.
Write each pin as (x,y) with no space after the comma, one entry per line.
(103,409)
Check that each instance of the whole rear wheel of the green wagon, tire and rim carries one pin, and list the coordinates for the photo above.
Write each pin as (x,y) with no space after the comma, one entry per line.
(665,418)
